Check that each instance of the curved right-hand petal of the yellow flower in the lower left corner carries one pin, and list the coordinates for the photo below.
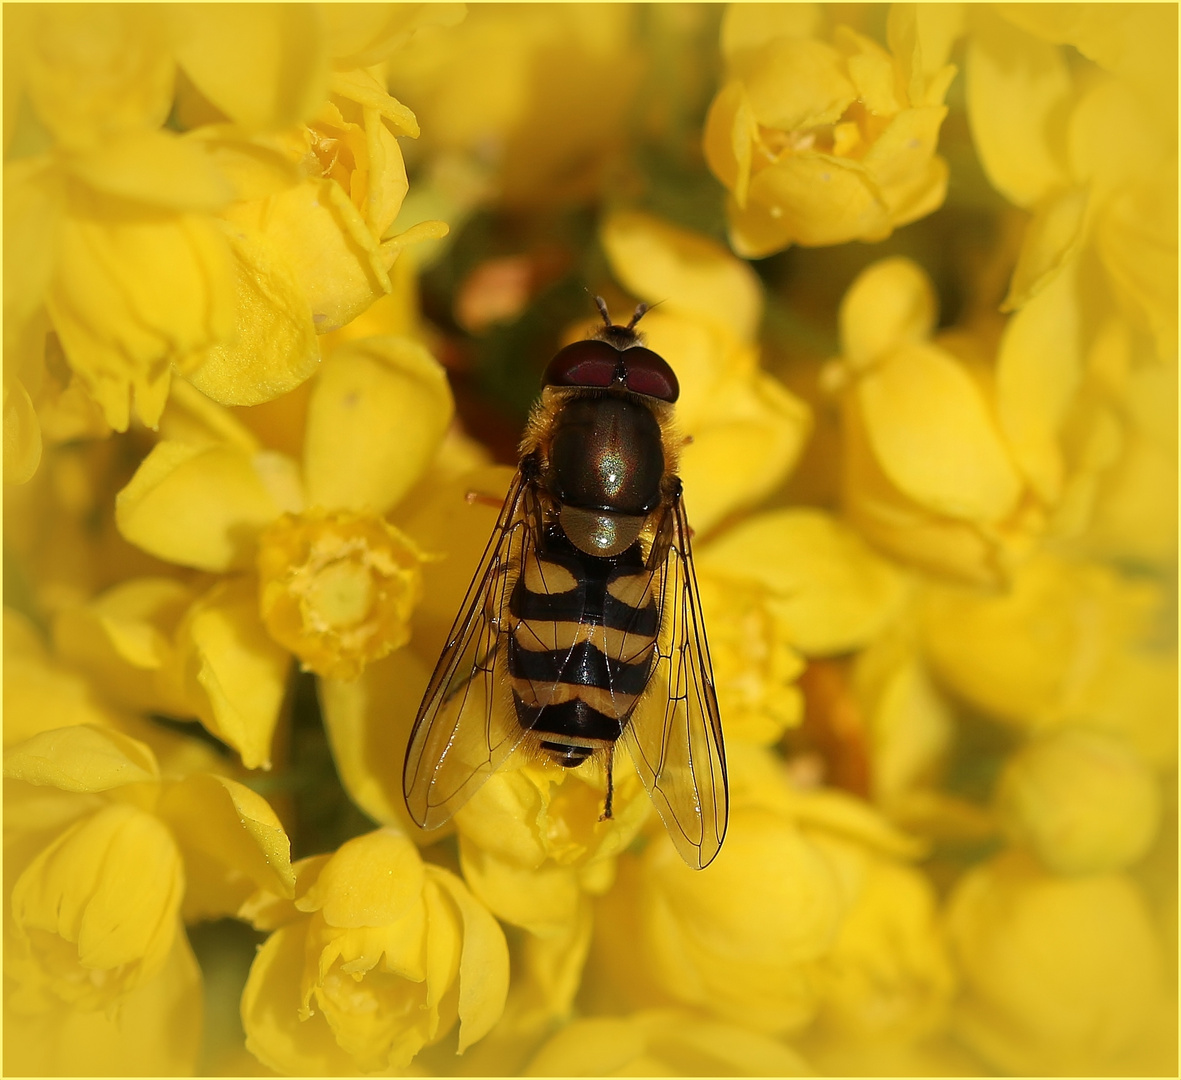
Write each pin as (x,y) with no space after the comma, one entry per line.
(232,842)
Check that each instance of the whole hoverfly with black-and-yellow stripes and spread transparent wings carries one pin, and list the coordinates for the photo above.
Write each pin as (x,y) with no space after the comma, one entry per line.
(585,604)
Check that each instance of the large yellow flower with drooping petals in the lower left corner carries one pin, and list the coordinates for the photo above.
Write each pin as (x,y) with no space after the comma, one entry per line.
(107,857)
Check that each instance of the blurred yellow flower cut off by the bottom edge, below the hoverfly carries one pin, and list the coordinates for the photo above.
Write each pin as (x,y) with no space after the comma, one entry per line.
(660,1044)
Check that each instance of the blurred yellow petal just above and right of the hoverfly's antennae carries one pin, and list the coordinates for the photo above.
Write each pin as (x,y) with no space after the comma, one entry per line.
(686,272)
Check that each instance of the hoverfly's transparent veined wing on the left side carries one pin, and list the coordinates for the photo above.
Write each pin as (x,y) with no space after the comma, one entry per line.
(467,725)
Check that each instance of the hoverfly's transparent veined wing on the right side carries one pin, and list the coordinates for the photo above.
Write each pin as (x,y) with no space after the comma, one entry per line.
(675,738)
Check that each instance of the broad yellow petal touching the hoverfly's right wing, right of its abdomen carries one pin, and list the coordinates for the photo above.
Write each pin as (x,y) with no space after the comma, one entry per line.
(834,593)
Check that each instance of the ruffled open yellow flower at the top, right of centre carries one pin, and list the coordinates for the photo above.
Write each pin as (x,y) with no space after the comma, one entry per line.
(823,144)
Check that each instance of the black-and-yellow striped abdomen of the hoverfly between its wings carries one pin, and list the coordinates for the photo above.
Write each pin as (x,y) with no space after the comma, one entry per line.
(580,648)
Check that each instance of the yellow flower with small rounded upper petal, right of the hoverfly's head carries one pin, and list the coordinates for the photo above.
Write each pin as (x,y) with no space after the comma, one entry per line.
(929,476)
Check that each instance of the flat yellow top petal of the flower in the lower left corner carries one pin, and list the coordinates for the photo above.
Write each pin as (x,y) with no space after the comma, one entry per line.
(81,759)
